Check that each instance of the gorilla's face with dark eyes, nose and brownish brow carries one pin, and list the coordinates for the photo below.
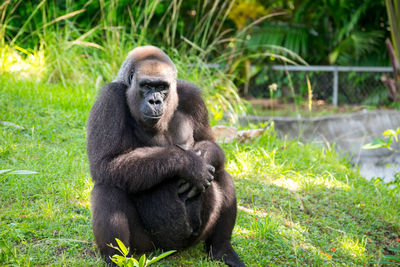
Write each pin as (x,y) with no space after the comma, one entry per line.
(152,96)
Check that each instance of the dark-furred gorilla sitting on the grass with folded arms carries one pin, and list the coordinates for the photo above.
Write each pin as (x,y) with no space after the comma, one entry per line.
(159,177)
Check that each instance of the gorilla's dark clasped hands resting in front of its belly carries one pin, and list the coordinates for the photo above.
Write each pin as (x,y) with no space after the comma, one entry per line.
(196,176)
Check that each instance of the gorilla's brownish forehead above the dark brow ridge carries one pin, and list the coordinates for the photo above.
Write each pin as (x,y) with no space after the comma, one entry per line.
(155,68)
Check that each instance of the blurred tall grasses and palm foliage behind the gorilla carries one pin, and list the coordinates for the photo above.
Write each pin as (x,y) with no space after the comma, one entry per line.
(241,36)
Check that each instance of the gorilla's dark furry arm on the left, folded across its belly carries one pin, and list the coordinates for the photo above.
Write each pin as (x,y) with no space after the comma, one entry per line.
(115,162)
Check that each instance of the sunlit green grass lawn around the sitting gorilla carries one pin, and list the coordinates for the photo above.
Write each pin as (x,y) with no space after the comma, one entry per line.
(298,204)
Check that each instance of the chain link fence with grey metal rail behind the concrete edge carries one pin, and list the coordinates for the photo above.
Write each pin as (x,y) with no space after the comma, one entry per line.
(333,84)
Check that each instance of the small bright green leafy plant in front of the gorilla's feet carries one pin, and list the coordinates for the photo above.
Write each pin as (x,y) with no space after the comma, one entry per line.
(132,262)
